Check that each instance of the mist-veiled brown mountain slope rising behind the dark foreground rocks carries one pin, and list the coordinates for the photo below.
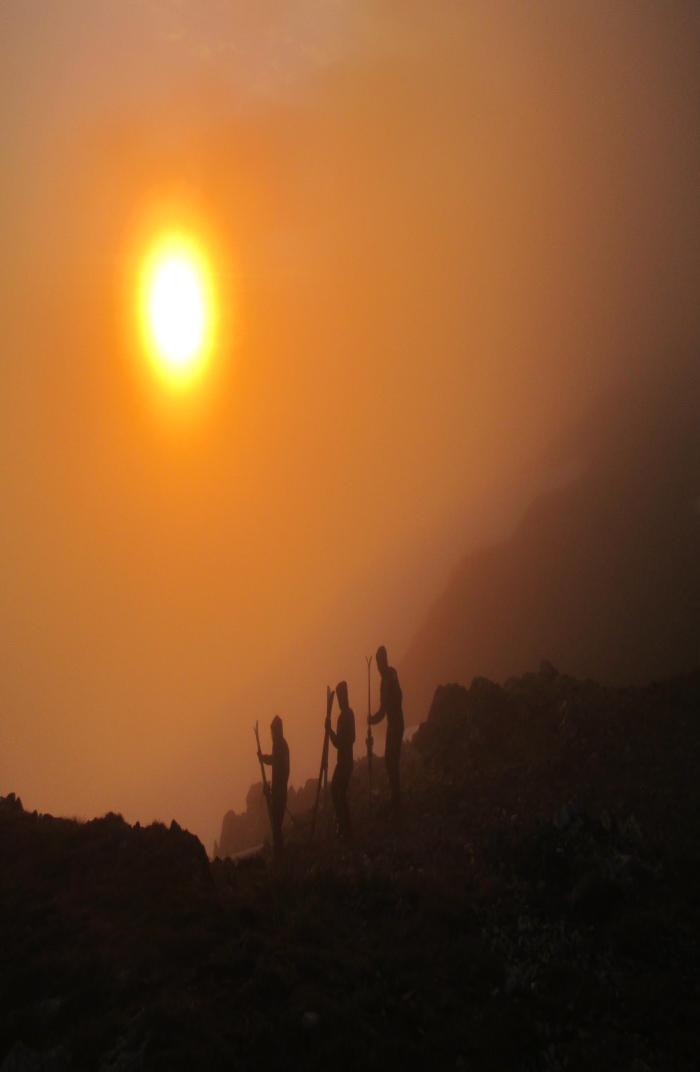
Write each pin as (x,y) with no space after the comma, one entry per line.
(602,577)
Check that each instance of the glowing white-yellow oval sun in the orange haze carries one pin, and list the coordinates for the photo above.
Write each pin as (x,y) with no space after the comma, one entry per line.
(177,308)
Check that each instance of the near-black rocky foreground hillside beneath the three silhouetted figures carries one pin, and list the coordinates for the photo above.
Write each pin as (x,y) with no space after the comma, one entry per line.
(540,911)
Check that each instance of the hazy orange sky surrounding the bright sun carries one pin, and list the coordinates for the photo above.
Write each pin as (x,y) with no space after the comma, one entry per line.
(441,232)
